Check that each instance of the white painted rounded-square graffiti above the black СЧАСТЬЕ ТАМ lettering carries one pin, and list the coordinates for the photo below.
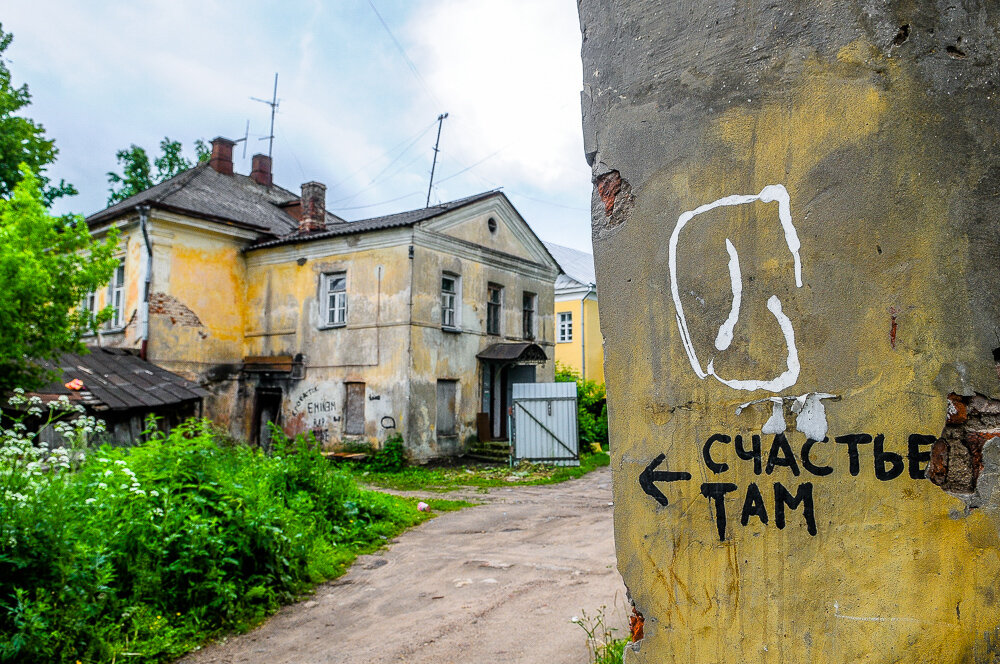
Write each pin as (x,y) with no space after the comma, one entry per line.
(774,193)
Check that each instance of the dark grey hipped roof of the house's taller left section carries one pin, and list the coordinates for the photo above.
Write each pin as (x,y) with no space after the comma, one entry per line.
(204,192)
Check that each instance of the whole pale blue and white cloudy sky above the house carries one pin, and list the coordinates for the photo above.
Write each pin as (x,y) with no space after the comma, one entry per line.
(357,111)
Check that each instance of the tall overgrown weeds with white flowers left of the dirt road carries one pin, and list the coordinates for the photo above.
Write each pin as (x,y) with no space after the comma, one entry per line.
(142,554)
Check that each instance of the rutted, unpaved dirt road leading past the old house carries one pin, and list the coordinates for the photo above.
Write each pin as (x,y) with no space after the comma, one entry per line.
(498,582)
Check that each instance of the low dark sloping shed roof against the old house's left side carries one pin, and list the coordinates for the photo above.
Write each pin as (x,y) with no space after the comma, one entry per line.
(117,379)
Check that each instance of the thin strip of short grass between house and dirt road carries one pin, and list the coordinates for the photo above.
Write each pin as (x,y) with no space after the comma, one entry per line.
(449,478)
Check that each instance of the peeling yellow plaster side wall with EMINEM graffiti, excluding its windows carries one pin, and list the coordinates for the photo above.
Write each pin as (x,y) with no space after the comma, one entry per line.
(284,318)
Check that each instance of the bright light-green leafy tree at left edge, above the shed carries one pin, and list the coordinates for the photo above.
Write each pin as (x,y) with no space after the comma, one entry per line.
(47,266)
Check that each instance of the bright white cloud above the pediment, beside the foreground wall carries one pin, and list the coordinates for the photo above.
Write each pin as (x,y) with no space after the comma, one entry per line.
(509,75)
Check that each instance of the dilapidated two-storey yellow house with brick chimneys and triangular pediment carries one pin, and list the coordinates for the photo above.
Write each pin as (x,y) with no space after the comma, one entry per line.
(416,323)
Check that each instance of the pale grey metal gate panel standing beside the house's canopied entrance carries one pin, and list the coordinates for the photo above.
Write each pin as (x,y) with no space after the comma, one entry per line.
(544,423)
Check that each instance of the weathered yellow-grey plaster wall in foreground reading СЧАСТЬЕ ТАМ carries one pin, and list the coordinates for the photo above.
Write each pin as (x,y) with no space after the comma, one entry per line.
(796,217)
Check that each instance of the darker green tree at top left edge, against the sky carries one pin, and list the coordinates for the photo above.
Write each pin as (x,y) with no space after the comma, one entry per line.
(22,141)
